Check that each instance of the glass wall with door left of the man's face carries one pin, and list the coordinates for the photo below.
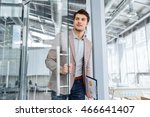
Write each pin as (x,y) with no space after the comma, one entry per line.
(27,33)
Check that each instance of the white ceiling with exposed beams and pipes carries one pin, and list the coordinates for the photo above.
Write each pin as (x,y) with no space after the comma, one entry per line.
(45,15)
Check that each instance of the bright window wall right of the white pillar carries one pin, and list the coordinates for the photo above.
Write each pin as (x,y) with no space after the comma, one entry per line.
(133,54)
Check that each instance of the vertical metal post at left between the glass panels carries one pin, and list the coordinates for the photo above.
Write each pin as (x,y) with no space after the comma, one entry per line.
(23,55)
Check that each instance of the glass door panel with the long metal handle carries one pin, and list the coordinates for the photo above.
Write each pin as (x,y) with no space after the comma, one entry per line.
(46,20)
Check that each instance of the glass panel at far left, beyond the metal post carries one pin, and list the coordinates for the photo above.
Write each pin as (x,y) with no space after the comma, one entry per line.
(10,46)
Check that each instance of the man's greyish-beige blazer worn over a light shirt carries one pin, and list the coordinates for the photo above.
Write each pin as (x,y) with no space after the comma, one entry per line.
(51,63)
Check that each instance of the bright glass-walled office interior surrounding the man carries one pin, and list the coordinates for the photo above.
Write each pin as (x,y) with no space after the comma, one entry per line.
(118,29)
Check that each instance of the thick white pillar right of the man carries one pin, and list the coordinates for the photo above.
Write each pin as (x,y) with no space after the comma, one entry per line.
(99,47)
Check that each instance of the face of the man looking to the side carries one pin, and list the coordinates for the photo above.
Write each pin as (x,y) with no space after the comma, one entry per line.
(80,22)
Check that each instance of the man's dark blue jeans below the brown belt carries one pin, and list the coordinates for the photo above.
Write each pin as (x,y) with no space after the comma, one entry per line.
(77,92)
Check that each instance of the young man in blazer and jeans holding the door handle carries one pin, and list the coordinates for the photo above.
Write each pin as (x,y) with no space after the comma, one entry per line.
(80,52)
